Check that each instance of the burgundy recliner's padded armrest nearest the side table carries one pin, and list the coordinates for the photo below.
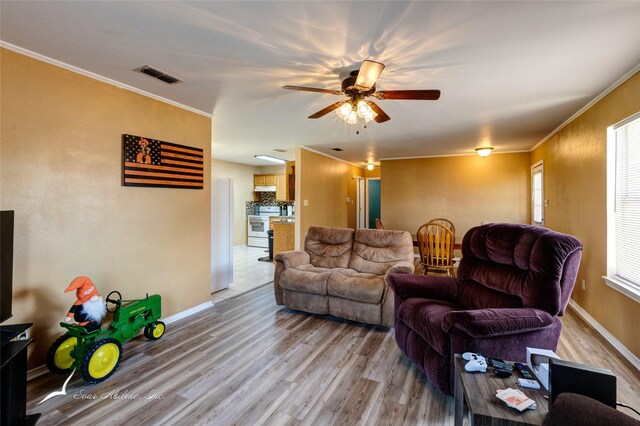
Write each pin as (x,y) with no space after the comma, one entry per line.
(497,322)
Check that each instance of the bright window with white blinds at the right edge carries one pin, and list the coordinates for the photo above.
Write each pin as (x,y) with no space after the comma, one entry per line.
(623,207)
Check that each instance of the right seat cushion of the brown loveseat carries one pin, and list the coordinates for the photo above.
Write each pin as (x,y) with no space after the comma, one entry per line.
(354,285)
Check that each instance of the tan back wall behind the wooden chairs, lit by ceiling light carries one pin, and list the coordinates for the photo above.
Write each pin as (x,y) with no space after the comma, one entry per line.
(468,190)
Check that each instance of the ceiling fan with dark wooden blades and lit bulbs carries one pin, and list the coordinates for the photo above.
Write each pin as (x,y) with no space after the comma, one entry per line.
(359,85)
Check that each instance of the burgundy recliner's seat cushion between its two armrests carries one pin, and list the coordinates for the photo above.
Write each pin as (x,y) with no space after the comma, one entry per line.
(425,317)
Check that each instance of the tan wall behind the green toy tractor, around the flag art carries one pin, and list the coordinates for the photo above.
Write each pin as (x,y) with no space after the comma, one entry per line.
(61,167)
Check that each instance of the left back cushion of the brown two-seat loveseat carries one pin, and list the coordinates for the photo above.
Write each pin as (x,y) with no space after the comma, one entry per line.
(329,247)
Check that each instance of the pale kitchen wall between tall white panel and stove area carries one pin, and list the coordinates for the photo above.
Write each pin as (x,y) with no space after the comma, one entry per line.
(242,176)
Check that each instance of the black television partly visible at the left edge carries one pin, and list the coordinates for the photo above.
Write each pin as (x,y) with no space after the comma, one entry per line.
(6,263)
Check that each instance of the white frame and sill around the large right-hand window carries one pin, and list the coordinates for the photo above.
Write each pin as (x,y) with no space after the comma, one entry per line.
(610,279)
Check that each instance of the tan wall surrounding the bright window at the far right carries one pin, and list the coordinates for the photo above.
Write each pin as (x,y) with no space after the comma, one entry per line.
(575,185)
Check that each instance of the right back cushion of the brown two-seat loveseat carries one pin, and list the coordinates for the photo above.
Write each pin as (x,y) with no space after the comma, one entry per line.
(377,250)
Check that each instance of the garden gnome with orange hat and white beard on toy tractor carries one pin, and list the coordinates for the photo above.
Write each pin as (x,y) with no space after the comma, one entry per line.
(89,308)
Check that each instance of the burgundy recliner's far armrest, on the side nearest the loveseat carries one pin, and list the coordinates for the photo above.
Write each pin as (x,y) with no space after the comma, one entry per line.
(407,286)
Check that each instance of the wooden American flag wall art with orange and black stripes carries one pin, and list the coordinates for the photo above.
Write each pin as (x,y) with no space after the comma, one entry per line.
(153,163)
